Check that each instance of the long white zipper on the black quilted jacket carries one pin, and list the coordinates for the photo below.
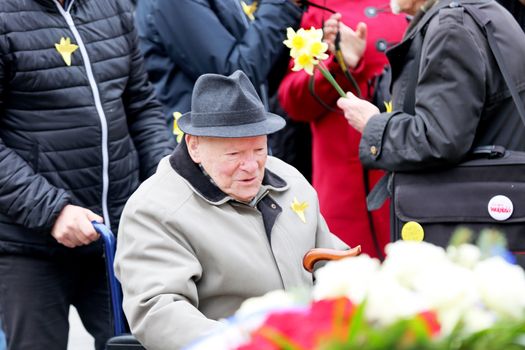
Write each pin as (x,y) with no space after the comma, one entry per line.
(98,105)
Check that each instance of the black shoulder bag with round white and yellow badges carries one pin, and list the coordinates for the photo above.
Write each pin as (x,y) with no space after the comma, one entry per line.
(487,191)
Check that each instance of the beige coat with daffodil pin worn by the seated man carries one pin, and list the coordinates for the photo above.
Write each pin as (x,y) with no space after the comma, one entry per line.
(185,261)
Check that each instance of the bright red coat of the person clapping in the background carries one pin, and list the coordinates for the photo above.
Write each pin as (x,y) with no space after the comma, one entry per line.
(337,172)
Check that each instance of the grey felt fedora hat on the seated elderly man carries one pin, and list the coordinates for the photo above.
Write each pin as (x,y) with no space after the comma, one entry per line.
(227,106)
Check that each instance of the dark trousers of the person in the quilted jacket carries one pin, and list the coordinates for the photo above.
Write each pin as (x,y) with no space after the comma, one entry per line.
(35,295)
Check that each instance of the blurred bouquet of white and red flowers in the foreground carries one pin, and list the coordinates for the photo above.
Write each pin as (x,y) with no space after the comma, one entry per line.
(420,297)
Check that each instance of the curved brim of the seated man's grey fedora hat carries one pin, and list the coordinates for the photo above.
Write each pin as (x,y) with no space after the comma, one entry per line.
(271,124)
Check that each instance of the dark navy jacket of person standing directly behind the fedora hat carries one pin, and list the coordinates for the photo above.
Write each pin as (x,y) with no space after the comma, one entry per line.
(184,39)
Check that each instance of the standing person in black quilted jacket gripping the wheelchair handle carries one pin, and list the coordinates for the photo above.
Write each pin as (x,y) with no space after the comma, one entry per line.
(79,129)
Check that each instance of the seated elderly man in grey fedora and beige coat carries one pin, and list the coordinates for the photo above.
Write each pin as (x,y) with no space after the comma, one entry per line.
(218,223)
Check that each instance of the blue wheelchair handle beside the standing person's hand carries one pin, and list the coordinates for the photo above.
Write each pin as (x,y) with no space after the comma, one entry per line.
(114,286)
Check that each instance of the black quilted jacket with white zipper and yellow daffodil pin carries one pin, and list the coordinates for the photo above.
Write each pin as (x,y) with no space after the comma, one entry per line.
(81,128)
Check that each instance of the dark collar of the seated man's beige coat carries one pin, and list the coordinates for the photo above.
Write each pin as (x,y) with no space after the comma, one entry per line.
(182,163)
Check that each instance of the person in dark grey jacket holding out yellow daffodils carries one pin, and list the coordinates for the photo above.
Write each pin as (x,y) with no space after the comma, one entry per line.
(448,93)
